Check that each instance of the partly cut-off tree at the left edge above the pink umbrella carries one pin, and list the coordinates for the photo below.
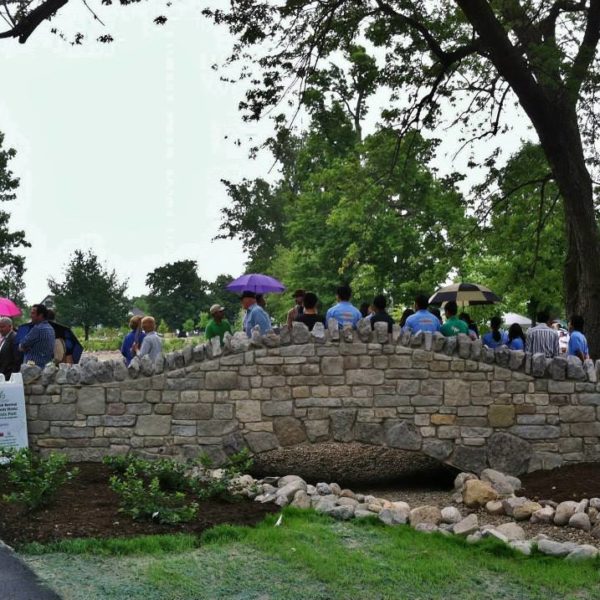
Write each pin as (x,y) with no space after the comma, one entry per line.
(12,265)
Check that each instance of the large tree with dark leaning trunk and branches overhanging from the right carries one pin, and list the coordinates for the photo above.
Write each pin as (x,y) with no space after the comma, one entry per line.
(463,59)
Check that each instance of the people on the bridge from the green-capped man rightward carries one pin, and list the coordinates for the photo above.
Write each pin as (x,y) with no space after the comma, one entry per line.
(543,338)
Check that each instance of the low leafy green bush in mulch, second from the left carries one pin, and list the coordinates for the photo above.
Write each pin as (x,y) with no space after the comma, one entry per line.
(152,490)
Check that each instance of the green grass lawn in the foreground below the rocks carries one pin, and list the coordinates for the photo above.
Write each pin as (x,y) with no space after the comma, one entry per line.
(308,556)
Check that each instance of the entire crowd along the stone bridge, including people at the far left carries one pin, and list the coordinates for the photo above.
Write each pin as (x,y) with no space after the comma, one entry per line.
(43,340)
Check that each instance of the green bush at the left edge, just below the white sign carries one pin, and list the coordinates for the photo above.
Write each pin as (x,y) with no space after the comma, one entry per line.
(35,480)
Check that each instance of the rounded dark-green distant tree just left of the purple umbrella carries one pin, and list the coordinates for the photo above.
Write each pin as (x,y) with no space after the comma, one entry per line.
(176,293)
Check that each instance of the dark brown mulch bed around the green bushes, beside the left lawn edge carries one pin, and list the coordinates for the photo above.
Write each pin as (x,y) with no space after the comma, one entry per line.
(87,507)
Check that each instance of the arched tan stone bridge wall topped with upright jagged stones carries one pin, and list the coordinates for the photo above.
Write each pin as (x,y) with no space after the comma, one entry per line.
(447,397)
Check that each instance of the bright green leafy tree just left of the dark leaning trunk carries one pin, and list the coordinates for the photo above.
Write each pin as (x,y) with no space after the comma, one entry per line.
(521,248)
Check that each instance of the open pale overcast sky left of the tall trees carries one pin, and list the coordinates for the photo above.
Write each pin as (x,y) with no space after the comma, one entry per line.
(121,147)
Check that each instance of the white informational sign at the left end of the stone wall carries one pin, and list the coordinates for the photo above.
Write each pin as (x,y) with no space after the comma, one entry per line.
(13,418)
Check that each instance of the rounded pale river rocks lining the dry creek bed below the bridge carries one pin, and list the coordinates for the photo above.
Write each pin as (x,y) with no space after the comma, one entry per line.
(493,491)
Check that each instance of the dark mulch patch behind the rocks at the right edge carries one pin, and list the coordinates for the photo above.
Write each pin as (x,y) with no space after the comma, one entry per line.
(572,482)
